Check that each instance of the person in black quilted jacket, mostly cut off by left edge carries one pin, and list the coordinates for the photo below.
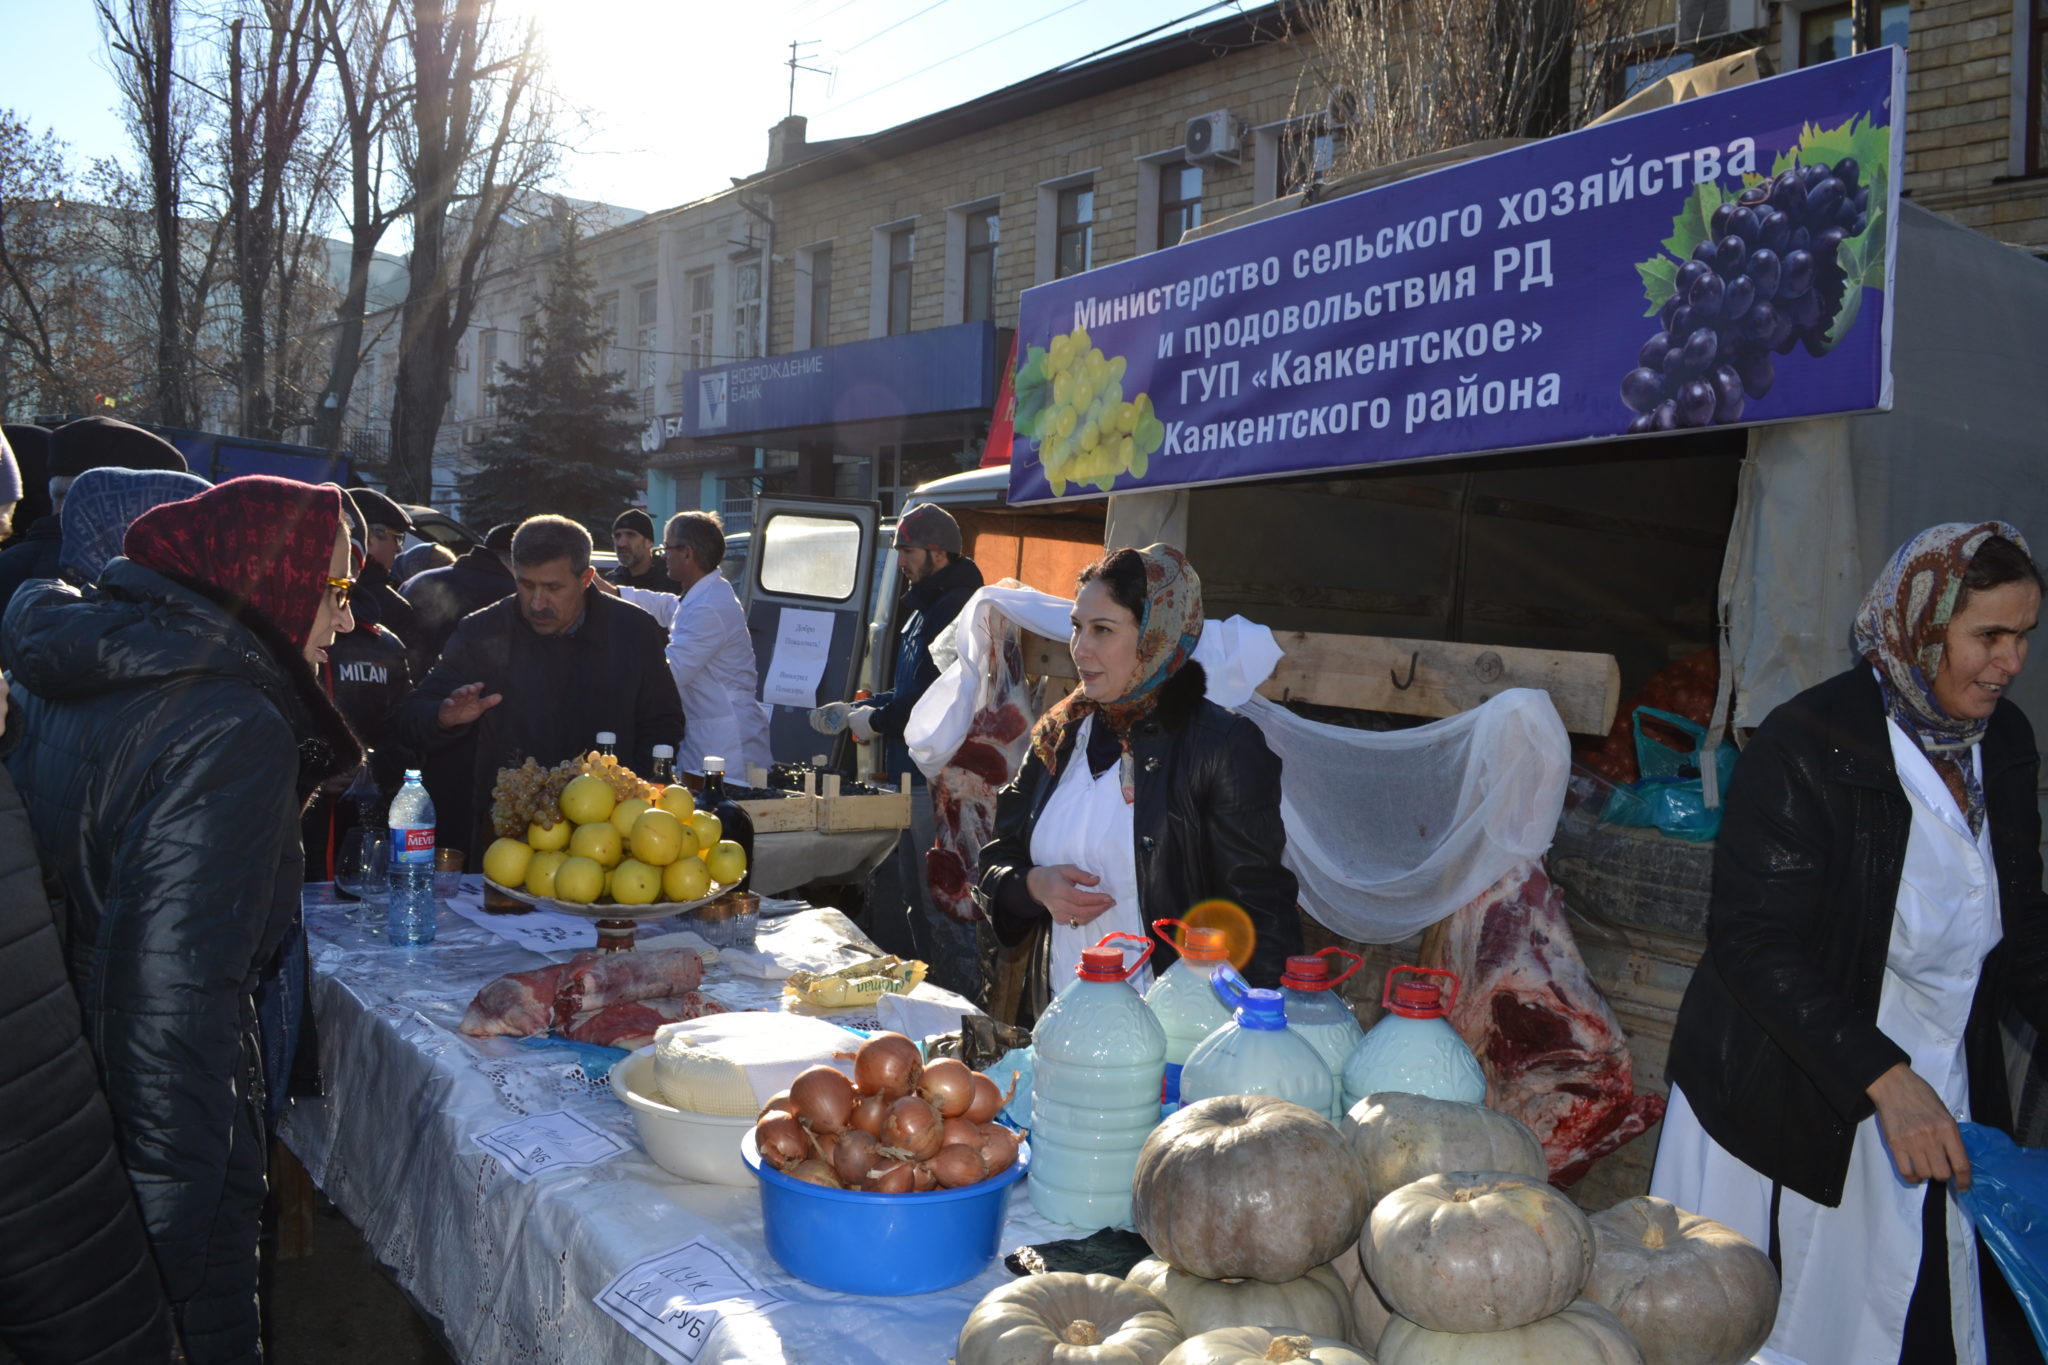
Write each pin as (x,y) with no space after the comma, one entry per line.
(77,1282)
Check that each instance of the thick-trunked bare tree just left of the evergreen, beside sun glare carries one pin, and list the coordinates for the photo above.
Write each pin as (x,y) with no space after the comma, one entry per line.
(478,140)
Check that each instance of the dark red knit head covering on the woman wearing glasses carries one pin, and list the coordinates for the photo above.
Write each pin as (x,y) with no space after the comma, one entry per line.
(261,539)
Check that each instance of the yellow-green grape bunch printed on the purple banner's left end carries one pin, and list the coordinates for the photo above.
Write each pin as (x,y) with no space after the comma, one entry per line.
(1072,400)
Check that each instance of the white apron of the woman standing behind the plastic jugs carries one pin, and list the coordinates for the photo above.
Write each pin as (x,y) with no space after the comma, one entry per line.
(1086,824)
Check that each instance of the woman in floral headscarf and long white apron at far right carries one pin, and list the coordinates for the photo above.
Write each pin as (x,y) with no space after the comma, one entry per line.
(1877,910)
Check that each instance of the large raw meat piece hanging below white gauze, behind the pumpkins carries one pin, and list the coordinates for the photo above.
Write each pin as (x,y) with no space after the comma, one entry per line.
(1551,1047)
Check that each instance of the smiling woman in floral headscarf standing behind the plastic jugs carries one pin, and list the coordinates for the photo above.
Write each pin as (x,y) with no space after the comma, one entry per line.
(1140,797)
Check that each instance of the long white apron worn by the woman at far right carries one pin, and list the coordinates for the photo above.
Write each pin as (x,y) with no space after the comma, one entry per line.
(1848,1272)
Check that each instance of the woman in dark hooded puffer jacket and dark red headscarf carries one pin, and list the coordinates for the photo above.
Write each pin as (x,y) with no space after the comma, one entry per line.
(173,732)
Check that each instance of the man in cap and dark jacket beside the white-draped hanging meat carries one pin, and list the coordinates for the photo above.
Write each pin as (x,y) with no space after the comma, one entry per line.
(941,580)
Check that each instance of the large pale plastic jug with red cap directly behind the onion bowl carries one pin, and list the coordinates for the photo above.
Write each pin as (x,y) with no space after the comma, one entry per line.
(1099,1057)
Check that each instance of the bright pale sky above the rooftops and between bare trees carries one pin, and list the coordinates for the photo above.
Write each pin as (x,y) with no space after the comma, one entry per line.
(681,93)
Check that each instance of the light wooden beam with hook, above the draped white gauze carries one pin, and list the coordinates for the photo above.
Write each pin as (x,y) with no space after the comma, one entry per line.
(1412,678)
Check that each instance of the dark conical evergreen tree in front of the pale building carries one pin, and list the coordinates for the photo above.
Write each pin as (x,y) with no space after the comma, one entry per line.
(566,437)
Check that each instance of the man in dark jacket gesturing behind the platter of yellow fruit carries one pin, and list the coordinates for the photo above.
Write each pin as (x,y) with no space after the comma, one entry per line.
(538,676)
